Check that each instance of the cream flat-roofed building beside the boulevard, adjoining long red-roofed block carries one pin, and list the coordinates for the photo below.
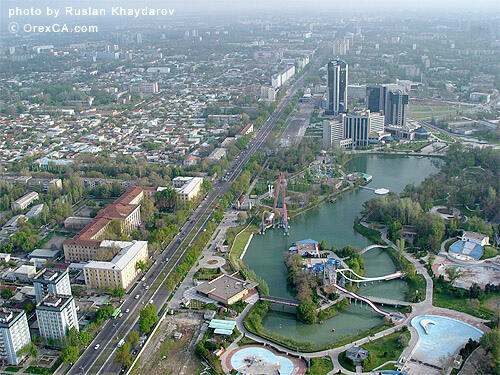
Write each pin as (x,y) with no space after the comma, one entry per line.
(122,270)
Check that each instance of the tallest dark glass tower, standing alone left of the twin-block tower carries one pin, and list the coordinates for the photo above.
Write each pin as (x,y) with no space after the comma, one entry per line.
(337,87)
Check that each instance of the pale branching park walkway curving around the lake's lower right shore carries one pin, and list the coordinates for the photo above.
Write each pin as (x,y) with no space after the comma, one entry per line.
(421,308)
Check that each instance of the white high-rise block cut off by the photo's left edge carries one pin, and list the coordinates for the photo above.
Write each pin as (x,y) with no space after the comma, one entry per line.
(14,335)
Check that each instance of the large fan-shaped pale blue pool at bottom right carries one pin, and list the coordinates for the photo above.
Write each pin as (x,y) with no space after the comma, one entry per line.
(445,335)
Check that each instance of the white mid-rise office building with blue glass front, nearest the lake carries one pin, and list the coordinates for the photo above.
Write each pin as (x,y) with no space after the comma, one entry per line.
(361,126)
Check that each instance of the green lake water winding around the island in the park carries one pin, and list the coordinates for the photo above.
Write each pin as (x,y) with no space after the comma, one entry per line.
(332,222)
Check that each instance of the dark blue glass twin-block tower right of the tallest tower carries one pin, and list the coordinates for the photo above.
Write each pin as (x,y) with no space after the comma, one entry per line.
(389,99)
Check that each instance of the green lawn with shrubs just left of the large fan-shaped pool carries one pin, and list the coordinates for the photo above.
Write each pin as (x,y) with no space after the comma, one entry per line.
(385,349)
